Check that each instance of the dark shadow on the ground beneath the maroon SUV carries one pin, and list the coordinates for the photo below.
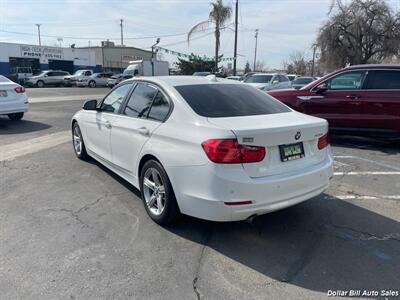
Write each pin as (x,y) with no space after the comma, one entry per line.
(385,145)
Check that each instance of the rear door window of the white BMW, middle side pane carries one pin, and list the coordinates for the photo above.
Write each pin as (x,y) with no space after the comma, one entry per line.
(140,101)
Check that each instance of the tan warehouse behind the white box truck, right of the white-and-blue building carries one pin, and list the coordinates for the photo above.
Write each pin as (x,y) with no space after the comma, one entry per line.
(116,58)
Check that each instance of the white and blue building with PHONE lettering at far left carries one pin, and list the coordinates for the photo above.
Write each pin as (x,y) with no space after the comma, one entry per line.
(13,56)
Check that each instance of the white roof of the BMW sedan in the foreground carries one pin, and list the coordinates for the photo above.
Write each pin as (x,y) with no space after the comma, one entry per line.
(185,80)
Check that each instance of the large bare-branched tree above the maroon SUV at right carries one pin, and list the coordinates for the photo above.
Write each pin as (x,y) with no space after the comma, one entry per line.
(359,32)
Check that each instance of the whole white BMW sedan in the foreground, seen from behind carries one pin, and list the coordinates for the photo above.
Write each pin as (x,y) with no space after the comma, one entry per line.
(212,149)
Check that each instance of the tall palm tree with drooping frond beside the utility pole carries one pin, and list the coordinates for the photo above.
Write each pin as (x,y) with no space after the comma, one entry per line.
(218,16)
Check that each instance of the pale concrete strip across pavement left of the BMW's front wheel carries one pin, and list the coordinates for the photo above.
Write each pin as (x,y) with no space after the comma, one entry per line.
(12,151)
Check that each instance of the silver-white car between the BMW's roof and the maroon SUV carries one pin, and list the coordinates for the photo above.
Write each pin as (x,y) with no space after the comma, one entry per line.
(268,82)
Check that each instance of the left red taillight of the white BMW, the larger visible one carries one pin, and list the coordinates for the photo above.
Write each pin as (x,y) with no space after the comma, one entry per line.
(229,151)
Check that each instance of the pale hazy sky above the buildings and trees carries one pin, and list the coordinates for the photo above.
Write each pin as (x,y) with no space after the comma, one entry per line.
(284,25)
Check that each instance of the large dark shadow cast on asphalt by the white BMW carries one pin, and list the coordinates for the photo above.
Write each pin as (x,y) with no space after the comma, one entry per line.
(323,244)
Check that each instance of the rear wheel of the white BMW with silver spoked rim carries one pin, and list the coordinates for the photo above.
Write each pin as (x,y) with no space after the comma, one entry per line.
(156,190)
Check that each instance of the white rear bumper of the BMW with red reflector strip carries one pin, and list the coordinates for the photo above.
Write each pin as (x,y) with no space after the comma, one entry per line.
(203,191)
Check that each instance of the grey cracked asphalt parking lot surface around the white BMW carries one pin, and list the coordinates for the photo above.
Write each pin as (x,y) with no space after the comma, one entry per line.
(74,230)
